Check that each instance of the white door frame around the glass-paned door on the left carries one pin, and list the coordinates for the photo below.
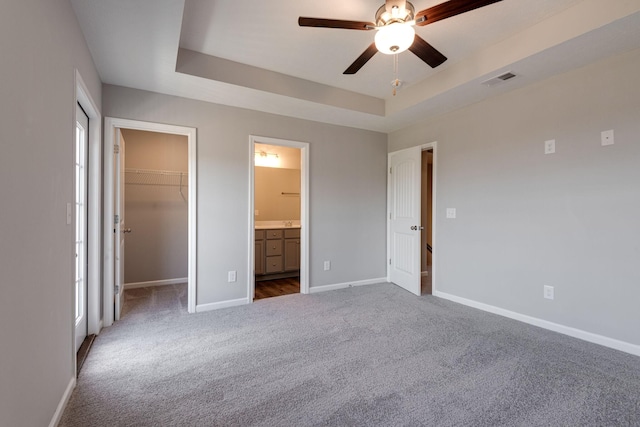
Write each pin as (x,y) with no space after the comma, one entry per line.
(94,203)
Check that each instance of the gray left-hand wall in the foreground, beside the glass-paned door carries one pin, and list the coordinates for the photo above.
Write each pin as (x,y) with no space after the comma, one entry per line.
(40,45)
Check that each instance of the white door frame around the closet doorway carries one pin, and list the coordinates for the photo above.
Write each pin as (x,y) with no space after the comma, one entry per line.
(110,132)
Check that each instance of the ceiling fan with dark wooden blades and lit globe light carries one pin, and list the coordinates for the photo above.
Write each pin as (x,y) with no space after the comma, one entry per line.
(394,22)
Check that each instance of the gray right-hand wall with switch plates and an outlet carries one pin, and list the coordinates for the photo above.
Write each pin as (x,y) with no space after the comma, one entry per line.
(526,219)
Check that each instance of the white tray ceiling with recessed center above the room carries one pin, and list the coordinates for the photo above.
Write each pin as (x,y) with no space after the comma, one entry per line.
(252,54)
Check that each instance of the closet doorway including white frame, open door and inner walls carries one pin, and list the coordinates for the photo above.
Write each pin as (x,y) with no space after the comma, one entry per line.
(150,200)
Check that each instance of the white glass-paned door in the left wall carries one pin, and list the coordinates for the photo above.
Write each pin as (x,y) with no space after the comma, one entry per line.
(81,148)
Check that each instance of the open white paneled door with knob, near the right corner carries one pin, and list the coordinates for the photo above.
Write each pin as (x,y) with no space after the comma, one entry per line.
(404,219)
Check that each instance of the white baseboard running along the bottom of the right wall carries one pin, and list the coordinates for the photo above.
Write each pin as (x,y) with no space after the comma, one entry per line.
(545,324)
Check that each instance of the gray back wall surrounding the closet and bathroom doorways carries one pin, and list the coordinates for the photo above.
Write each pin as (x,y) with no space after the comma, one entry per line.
(347,188)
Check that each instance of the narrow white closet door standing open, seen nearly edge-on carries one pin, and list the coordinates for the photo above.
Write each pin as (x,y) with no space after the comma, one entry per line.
(120,226)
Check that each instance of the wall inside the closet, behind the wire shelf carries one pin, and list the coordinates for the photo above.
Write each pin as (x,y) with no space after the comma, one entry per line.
(157,214)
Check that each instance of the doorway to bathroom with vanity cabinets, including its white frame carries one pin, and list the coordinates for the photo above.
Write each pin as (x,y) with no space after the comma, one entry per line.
(278,225)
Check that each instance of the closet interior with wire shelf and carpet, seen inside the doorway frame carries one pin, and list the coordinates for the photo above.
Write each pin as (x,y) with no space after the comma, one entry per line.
(155,220)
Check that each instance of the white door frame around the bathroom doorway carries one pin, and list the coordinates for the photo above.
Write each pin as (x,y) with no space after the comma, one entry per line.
(304,210)
